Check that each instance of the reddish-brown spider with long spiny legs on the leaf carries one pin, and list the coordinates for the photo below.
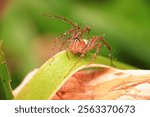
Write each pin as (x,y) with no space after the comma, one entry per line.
(77,45)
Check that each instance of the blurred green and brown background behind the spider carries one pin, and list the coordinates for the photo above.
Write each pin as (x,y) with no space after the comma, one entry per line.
(27,35)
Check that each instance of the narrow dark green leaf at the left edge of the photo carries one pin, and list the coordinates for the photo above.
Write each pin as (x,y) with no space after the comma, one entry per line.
(5,89)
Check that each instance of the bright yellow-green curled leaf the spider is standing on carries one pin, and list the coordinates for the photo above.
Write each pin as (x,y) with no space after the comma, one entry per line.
(52,75)
